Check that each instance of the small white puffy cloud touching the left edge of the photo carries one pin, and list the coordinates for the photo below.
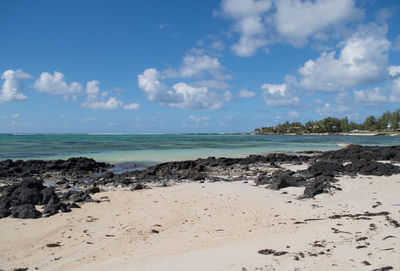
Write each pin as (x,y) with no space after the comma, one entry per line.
(13,85)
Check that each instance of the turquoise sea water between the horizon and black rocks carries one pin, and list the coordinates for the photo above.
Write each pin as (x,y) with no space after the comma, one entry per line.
(150,149)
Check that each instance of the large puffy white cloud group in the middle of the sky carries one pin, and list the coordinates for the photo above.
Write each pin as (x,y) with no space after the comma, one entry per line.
(208,90)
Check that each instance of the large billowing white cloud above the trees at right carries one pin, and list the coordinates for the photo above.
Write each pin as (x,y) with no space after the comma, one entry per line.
(362,60)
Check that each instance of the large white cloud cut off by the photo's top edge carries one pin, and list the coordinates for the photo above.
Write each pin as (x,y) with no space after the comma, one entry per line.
(261,22)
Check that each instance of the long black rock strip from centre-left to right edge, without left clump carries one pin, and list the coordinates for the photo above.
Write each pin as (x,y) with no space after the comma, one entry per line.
(318,178)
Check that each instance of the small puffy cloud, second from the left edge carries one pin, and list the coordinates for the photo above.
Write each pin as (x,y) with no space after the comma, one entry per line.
(55,84)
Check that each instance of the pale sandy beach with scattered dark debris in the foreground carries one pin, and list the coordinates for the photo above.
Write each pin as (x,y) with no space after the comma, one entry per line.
(212,226)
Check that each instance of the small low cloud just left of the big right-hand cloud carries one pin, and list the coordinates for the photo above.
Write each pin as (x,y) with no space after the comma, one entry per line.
(279,95)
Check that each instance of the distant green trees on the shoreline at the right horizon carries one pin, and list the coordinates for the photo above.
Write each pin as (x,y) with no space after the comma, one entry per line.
(388,122)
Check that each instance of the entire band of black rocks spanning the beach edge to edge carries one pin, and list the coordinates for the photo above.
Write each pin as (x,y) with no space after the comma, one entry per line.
(76,178)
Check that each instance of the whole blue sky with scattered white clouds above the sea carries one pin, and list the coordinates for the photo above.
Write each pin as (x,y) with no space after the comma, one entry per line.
(177,66)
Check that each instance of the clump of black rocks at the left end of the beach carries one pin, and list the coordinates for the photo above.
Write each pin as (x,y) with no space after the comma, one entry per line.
(22,186)
